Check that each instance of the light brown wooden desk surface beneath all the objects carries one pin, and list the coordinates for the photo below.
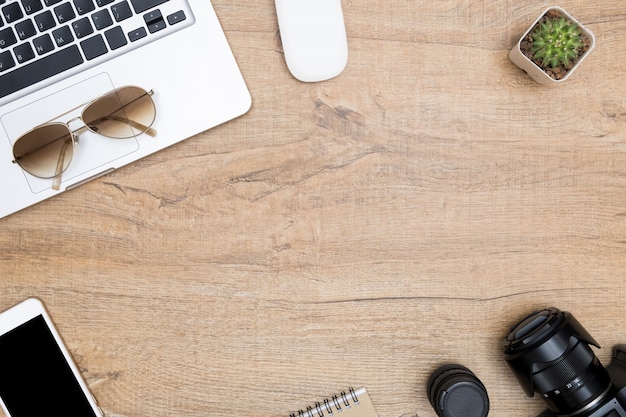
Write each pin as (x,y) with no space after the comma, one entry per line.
(355,232)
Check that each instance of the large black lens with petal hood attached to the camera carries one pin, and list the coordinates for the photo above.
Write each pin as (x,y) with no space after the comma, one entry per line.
(549,353)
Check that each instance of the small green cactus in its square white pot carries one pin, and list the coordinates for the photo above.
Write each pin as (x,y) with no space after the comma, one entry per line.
(553,47)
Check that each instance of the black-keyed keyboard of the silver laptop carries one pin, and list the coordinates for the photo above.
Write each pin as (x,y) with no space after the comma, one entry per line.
(40,39)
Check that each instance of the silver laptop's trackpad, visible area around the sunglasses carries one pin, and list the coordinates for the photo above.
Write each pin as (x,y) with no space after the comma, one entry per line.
(93,153)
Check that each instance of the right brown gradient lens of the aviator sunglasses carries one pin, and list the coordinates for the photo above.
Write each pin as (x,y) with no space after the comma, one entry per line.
(121,114)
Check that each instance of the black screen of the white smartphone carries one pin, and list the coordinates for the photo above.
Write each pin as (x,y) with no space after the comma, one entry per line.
(35,379)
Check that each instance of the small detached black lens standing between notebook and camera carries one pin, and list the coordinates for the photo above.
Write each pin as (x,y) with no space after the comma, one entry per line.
(454,391)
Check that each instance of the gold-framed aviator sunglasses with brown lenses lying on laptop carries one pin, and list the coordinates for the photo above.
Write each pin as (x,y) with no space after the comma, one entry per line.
(46,151)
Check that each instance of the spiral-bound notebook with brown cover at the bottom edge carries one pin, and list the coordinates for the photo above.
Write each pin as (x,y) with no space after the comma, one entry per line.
(354,403)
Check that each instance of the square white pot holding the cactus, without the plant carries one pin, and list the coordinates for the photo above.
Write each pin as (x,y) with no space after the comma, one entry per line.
(535,72)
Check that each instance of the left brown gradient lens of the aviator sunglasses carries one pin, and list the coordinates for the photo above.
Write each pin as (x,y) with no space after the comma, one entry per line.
(46,151)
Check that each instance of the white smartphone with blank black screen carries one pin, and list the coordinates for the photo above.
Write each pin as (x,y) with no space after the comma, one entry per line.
(37,374)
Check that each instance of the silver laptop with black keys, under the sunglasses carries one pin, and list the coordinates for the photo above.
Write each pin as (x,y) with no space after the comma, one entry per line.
(58,55)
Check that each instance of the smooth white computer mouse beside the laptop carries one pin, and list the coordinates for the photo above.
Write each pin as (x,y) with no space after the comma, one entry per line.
(314,39)
